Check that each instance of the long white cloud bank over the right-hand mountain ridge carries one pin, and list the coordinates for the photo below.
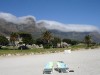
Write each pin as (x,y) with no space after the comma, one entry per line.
(66,27)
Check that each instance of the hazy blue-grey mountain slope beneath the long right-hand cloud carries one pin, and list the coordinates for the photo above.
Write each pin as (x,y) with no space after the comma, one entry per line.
(76,35)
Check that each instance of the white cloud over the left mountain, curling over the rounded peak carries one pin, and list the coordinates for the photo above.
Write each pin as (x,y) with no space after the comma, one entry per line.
(11,18)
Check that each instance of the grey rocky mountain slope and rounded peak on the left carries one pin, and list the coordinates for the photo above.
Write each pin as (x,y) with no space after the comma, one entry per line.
(28,25)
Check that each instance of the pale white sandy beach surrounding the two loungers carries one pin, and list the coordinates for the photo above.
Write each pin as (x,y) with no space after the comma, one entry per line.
(83,62)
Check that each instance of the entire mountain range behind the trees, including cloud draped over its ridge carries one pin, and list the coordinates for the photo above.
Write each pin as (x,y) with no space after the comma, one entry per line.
(36,28)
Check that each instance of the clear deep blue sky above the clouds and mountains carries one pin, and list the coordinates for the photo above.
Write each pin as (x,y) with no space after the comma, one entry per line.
(64,11)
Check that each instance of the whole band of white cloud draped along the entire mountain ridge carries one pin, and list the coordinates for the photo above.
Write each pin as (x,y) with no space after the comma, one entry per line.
(49,24)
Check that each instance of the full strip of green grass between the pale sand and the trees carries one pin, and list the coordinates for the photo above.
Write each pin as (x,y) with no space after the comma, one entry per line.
(9,50)
